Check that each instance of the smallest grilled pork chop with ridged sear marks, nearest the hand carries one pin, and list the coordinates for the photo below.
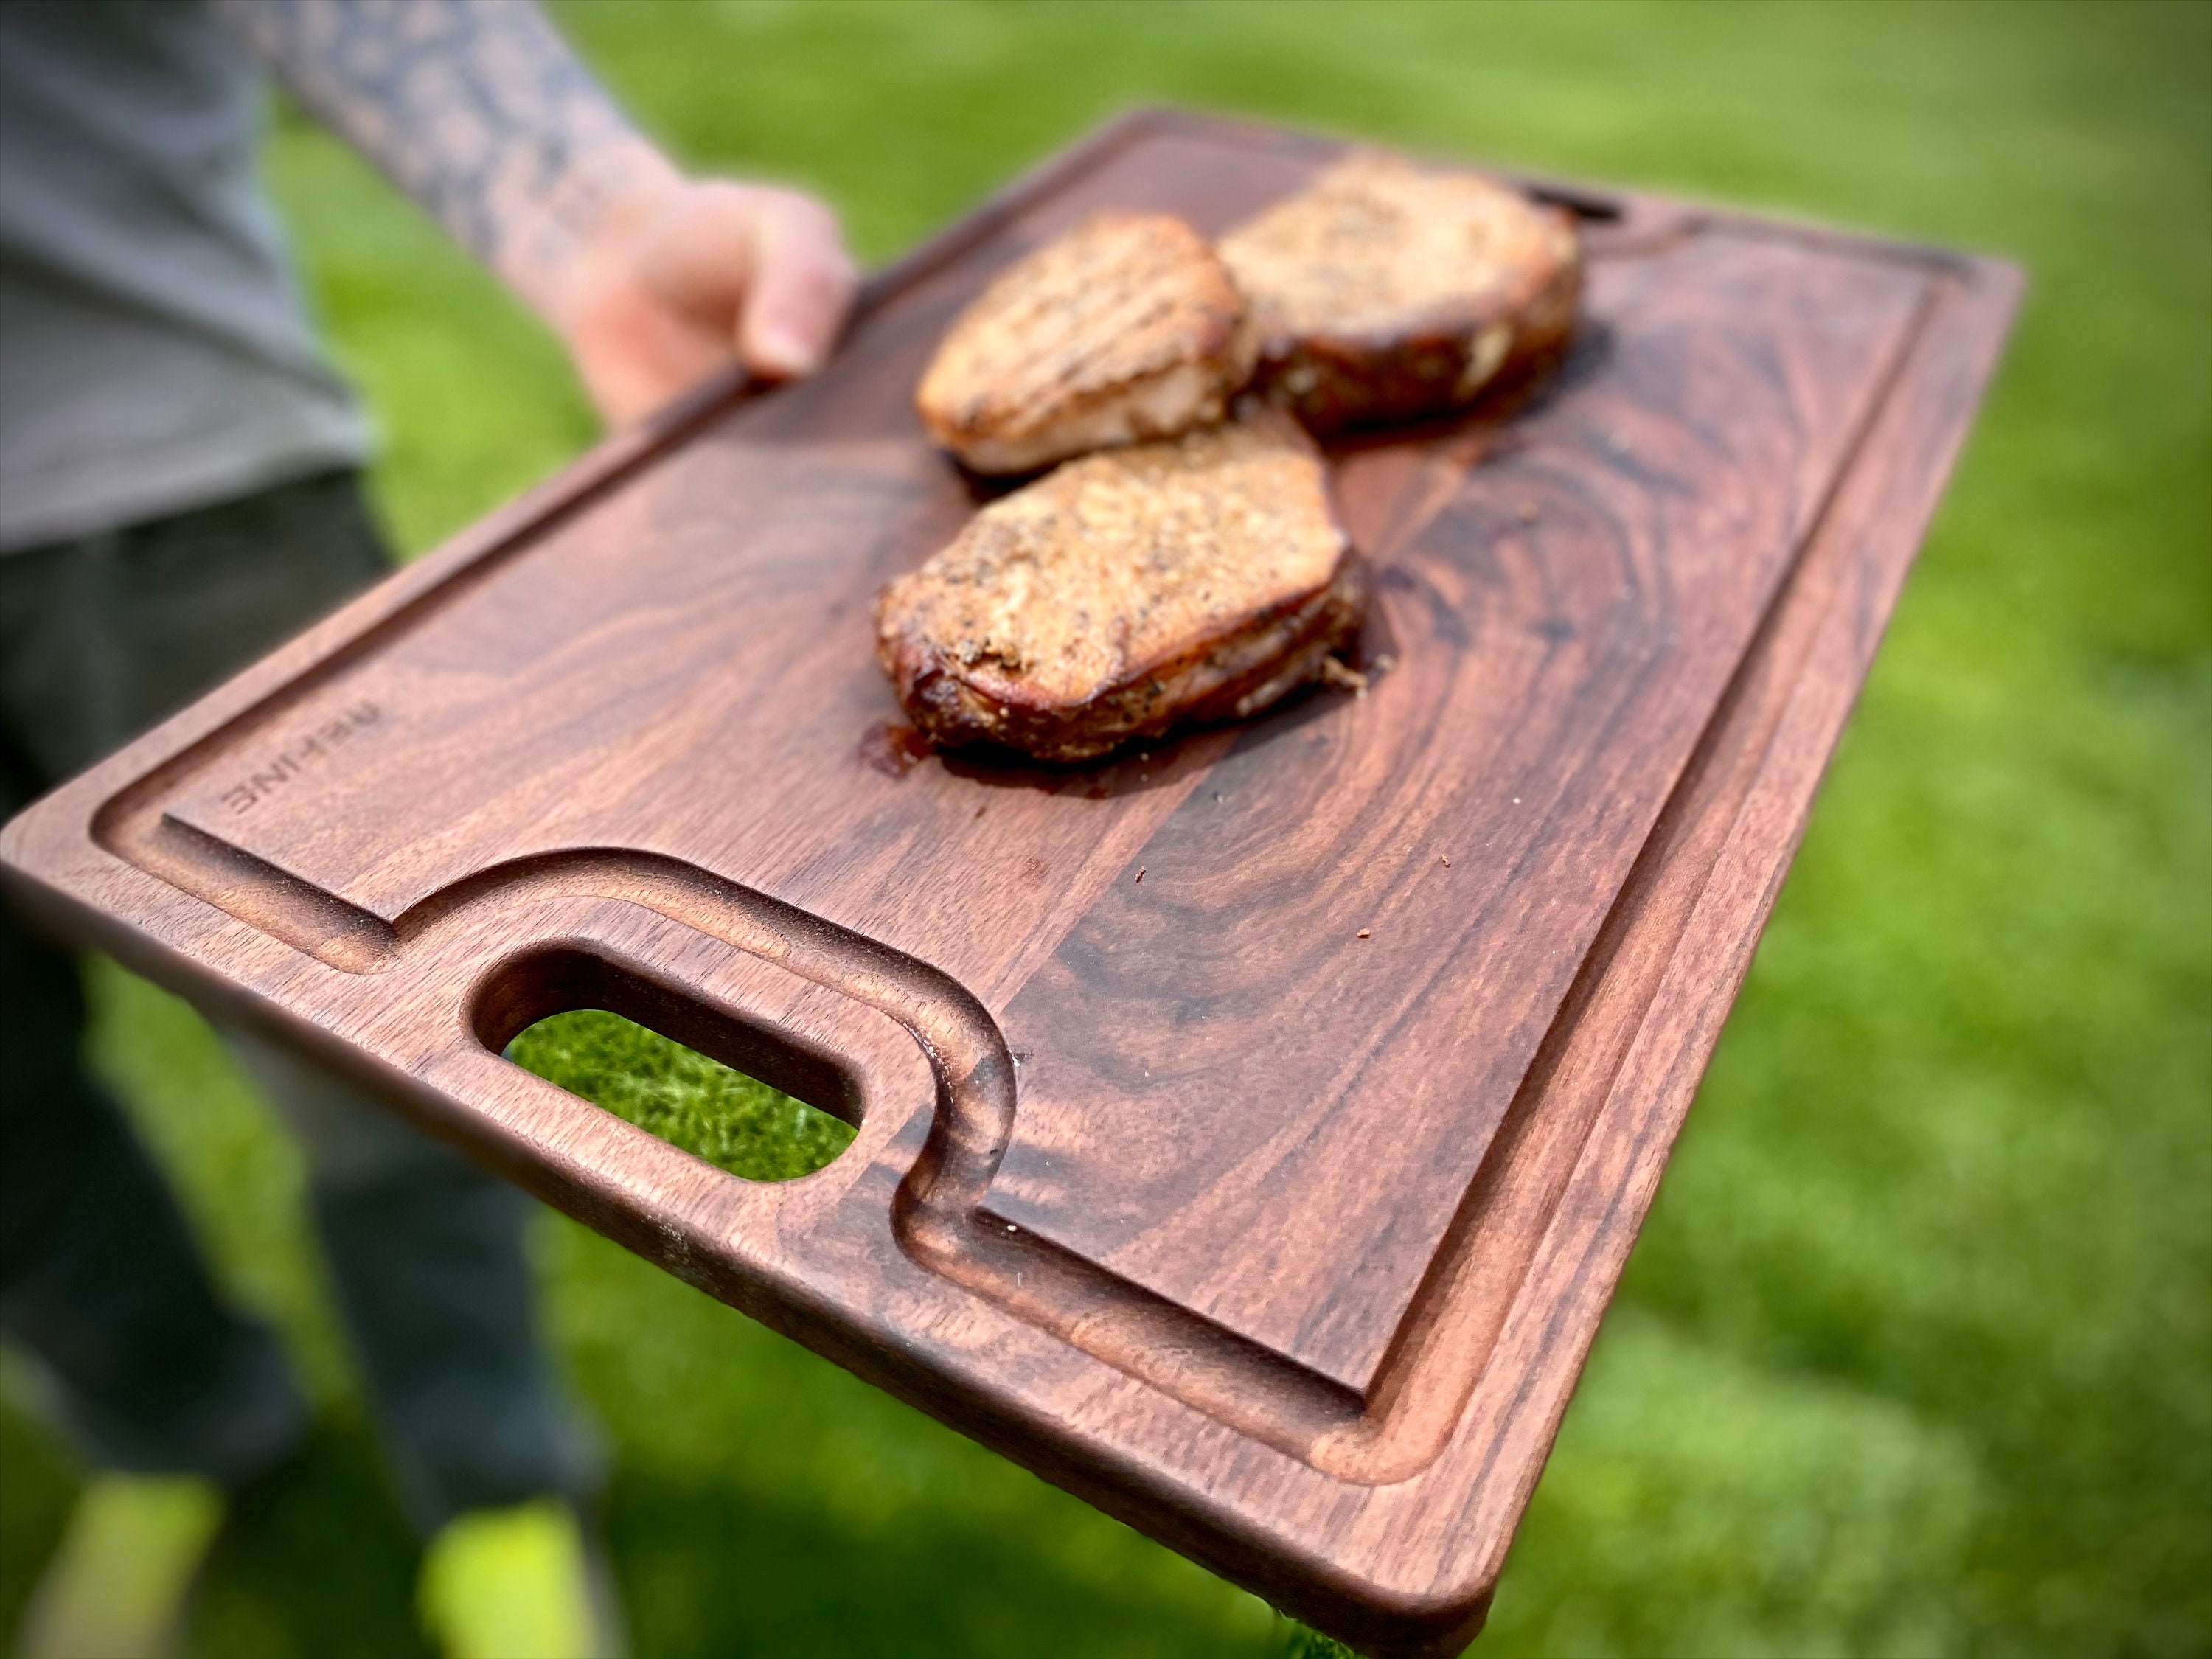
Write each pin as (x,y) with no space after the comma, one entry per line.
(1123,331)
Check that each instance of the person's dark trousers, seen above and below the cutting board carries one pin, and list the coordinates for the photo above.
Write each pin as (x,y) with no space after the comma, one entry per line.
(98,1277)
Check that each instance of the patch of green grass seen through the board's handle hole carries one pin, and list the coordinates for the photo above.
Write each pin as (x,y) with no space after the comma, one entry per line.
(731,1120)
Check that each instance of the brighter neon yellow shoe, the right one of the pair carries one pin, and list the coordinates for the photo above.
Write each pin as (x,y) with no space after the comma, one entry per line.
(519,1585)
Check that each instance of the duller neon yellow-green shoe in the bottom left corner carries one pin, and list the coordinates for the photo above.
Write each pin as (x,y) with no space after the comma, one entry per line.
(123,1578)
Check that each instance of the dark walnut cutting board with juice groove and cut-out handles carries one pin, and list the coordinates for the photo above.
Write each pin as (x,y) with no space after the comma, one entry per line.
(1251,1129)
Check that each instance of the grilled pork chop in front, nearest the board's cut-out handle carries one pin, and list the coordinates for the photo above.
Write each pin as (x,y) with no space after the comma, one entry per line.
(1125,594)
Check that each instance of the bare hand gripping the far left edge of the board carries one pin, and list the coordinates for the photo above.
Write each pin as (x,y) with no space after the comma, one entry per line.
(693,278)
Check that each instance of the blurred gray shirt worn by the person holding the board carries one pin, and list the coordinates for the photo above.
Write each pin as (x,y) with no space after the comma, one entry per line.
(156,353)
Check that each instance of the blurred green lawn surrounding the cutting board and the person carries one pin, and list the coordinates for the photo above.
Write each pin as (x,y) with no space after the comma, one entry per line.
(1917,1350)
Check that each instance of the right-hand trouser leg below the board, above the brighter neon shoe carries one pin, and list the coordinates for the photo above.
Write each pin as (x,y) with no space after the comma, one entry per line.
(428,1260)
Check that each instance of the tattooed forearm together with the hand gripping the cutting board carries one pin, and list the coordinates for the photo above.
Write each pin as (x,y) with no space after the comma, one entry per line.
(486,118)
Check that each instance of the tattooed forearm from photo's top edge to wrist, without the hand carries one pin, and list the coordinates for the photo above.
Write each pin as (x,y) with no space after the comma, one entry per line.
(474,107)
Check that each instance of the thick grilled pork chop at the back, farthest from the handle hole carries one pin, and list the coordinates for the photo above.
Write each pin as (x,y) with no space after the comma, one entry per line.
(1386,293)
